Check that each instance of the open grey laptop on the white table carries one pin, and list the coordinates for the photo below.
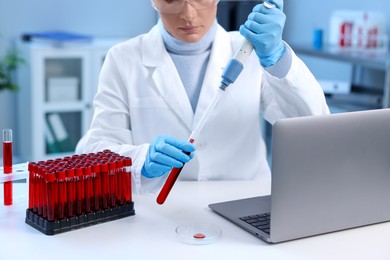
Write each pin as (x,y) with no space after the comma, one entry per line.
(329,173)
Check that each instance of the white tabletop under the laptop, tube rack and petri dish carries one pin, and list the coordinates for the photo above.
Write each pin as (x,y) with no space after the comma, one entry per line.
(150,234)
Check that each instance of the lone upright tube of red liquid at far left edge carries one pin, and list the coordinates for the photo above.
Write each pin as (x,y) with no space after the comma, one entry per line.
(7,163)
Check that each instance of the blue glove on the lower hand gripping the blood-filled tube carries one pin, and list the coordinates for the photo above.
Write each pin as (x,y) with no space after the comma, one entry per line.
(164,153)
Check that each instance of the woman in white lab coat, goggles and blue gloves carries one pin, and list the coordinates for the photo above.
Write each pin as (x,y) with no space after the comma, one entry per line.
(154,88)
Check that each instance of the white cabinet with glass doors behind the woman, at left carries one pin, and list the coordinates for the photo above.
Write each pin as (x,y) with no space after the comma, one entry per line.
(57,86)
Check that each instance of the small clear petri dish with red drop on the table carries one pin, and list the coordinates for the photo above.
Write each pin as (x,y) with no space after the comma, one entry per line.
(198,233)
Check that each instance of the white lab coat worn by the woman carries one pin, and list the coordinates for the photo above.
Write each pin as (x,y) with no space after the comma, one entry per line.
(141,96)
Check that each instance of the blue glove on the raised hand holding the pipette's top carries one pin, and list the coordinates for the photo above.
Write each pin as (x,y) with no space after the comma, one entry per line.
(264,29)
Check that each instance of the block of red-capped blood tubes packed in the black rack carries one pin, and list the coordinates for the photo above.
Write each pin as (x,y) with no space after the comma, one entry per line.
(80,184)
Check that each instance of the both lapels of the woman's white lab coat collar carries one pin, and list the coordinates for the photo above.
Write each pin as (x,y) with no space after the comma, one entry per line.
(167,80)
